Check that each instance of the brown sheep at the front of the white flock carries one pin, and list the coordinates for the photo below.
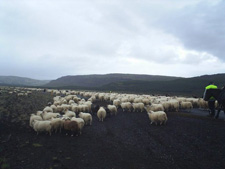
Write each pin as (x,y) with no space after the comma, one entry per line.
(71,126)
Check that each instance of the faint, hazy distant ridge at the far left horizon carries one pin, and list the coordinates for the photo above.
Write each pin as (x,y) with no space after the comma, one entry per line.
(21,81)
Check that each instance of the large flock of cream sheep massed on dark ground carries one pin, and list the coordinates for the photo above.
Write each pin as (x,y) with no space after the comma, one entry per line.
(70,113)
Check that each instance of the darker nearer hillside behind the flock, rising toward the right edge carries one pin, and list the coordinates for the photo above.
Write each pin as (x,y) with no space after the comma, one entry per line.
(183,86)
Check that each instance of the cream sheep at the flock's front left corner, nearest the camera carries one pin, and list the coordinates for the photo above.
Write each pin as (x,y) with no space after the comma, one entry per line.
(42,126)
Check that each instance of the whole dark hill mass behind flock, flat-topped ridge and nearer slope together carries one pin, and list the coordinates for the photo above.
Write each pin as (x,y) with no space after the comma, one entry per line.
(140,83)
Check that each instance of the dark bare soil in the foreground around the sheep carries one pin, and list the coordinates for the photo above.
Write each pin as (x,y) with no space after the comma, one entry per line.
(125,141)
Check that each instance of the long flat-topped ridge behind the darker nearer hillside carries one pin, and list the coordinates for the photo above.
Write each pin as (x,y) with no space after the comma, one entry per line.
(101,80)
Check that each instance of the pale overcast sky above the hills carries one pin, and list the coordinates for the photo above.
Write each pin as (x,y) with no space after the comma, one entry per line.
(47,39)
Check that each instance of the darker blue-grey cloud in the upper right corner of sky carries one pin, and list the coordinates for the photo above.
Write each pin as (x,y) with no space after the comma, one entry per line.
(200,27)
